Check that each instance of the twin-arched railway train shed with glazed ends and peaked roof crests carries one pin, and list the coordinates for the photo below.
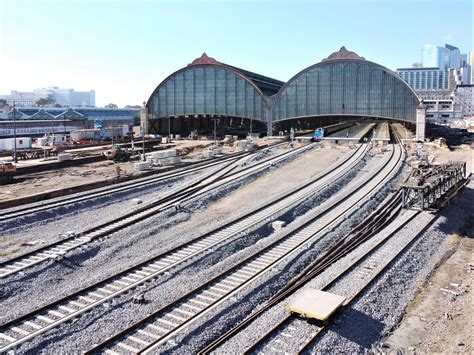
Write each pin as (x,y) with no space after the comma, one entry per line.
(343,86)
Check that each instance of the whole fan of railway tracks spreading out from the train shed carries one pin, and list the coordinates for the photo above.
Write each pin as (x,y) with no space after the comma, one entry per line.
(361,180)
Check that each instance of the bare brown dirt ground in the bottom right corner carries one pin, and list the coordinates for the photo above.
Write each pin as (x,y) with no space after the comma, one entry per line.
(439,319)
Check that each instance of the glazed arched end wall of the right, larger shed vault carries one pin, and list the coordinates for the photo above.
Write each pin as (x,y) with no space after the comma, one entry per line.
(346,87)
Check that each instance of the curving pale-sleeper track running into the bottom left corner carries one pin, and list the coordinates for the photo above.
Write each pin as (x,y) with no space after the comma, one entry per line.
(101,292)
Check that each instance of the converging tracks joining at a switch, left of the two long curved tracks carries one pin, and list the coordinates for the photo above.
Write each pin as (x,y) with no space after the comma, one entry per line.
(172,200)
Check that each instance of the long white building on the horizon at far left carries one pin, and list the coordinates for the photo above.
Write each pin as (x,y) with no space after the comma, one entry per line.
(63,97)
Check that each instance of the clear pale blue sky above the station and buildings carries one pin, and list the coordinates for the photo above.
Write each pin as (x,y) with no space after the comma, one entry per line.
(124,48)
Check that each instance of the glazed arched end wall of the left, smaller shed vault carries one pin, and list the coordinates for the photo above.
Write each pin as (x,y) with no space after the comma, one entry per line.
(208,89)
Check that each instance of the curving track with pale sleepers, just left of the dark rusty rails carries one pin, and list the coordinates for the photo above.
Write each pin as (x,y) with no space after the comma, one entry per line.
(151,332)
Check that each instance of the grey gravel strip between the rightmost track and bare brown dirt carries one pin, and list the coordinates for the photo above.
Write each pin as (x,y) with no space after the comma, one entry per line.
(378,310)
